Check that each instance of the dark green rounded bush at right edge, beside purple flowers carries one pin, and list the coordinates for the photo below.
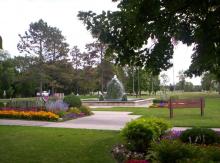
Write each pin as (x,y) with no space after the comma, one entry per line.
(199,136)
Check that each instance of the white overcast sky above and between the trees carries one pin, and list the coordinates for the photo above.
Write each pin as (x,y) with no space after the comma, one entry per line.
(16,15)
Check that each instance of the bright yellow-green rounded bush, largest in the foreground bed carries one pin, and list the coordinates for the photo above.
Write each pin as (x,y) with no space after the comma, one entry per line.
(141,132)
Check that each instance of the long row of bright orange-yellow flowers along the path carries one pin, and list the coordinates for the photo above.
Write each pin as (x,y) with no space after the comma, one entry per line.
(30,115)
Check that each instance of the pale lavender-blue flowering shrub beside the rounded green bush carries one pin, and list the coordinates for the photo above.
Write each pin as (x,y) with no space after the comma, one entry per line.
(56,106)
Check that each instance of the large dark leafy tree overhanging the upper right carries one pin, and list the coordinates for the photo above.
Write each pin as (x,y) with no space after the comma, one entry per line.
(144,32)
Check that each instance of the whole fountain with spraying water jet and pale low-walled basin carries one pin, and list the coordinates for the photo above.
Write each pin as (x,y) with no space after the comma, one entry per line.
(116,97)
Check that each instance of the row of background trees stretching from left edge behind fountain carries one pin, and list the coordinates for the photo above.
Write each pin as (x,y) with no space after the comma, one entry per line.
(49,64)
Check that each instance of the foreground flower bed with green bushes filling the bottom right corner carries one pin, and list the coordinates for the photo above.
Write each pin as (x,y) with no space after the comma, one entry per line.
(150,140)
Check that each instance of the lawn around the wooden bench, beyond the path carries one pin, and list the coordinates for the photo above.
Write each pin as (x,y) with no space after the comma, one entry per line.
(182,117)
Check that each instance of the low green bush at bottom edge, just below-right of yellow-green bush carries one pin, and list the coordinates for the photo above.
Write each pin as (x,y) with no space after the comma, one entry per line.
(172,152)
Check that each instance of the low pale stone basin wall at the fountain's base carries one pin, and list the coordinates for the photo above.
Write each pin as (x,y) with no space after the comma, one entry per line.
(114,103)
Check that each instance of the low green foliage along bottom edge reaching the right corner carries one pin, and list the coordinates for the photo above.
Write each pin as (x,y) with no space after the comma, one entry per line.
(168,151)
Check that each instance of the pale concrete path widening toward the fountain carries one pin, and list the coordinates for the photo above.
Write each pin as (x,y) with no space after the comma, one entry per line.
(103,120)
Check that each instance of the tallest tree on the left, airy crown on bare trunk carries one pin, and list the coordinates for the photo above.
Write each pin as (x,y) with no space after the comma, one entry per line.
(44,42)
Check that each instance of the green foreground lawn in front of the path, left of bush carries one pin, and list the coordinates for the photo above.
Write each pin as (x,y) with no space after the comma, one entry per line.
(56,145)
